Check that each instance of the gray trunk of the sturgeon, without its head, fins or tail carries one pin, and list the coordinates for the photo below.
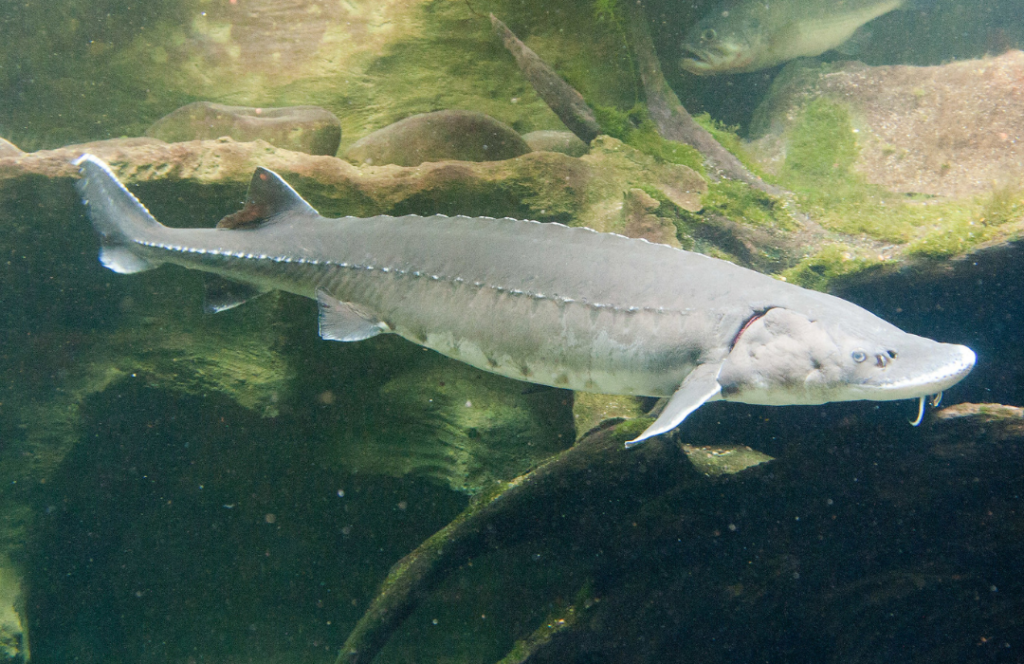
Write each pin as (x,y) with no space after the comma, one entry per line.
(536,302)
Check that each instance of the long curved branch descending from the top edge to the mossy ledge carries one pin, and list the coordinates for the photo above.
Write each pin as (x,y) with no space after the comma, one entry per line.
(674,122)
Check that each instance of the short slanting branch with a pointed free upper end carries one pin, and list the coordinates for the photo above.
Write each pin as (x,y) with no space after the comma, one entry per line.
(568,104)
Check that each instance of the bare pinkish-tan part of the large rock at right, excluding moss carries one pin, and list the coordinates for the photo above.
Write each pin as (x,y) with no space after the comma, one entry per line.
(950,131)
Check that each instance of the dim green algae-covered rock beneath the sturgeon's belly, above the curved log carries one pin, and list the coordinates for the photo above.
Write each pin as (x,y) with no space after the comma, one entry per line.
(461,427)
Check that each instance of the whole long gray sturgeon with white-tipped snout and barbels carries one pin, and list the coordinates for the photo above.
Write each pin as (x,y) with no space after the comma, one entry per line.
(541,303)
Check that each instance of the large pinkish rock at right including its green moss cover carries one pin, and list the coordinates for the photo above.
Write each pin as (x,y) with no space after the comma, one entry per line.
(823,128)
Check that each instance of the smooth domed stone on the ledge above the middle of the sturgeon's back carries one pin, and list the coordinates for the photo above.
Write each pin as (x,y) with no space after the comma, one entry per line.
(461,136)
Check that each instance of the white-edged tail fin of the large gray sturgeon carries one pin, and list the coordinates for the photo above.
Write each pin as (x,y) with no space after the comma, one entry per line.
(117,216)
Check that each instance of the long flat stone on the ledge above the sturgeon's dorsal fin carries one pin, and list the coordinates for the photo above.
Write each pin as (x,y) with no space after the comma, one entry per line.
(308,130)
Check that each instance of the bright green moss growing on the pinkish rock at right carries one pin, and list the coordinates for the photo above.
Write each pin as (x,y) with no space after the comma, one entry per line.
(878,227)
